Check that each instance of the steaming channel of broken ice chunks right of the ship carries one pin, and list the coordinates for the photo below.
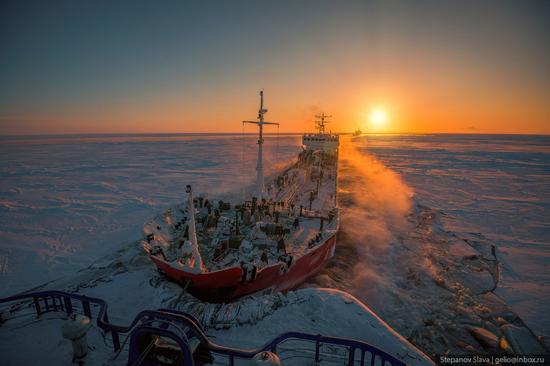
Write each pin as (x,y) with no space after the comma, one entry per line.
(433,286)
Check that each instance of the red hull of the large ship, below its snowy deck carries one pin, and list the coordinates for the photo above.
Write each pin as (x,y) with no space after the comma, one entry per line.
(227,284)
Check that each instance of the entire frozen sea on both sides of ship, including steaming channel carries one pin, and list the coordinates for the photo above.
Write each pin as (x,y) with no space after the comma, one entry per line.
(420,217)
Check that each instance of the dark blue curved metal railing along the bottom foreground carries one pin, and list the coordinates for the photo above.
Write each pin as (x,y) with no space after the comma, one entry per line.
(182,328)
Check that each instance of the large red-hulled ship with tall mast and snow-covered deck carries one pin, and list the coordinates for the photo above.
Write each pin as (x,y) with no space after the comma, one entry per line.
(275,240)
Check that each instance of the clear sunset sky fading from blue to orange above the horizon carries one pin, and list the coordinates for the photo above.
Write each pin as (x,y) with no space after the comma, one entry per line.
(174,66)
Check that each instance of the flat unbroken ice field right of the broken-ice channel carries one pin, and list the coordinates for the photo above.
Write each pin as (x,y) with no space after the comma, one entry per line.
(496,187)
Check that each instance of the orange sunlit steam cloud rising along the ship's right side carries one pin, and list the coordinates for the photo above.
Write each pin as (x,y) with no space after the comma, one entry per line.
(375,203)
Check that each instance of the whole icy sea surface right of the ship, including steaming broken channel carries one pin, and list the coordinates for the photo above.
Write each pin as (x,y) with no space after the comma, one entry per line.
(412,245)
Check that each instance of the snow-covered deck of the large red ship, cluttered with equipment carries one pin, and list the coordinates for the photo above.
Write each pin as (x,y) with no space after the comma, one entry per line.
(299,215)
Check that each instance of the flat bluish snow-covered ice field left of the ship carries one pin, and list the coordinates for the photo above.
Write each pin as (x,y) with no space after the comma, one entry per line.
(66,201)
